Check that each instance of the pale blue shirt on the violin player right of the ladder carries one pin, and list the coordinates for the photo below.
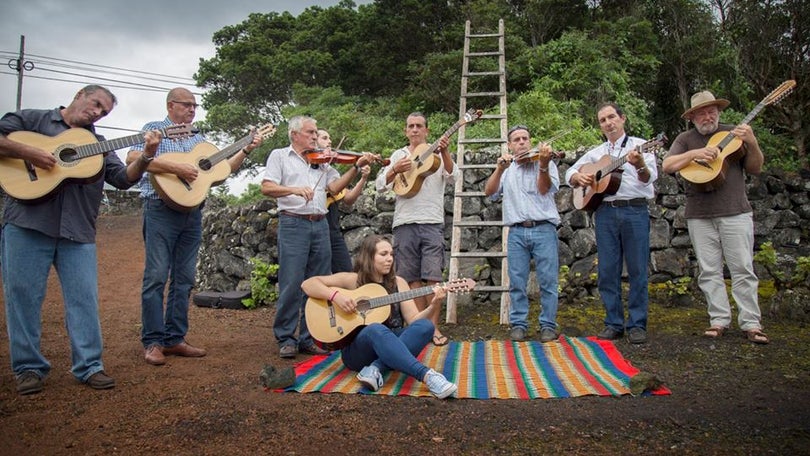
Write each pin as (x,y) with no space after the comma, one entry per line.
(522,202)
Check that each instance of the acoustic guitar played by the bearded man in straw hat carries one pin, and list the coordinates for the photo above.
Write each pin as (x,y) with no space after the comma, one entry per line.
(707,176)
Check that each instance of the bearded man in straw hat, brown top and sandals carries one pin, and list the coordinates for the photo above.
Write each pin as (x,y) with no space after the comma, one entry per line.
(720,220)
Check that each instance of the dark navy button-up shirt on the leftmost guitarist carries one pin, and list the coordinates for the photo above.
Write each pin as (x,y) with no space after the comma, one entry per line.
(72,211)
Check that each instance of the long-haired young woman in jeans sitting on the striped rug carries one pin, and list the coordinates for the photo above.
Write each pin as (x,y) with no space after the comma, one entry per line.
(394,344)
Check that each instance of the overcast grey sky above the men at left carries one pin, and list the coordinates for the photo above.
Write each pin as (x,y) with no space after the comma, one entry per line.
(163,37)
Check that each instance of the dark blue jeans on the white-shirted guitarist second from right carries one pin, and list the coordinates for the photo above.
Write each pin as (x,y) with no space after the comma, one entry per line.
(623,235)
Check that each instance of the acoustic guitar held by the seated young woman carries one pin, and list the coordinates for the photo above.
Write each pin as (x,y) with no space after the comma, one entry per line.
(335,329)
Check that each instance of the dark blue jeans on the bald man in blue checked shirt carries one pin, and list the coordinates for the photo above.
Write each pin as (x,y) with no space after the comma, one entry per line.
(172,240)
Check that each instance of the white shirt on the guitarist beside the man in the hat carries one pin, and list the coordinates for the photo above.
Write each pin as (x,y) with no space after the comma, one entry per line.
(631,187)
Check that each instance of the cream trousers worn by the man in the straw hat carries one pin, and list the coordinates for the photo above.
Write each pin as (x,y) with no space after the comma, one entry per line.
(731,238)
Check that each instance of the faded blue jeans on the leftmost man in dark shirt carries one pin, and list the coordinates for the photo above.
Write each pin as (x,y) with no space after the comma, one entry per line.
(27,256)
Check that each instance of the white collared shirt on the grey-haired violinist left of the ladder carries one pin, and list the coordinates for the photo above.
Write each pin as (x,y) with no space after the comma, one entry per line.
(285,167)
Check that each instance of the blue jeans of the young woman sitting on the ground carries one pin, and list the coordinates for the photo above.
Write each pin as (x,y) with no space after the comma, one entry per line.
(390,349)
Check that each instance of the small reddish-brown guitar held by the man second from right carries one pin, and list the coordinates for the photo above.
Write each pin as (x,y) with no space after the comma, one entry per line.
(607,176)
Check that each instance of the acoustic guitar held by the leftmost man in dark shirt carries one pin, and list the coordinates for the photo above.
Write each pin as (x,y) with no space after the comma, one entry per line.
(78,159)
